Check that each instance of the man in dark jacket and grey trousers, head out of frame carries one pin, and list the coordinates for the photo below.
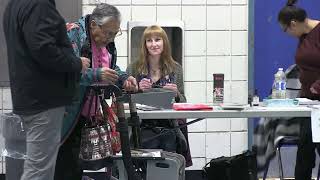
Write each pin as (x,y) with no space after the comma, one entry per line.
(44,74)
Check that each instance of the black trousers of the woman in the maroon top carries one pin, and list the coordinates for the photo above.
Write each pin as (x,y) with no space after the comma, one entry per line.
(306,156)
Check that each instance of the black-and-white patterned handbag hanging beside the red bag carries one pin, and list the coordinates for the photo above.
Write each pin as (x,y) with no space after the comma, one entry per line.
(95,136)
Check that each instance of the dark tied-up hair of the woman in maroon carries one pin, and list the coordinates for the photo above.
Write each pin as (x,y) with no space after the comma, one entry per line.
(291,12)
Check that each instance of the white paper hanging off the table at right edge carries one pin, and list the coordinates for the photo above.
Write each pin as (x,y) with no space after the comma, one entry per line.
(315,123)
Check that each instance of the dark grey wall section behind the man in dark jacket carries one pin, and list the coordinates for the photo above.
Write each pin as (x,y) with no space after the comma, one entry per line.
(71,10)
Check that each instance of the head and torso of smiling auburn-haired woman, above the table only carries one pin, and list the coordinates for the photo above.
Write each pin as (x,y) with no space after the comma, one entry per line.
(155,66)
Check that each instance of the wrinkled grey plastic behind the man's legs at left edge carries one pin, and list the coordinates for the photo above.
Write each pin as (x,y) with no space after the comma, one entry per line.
(14,136)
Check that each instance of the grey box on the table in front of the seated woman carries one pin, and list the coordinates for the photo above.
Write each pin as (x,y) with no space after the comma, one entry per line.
(156,97)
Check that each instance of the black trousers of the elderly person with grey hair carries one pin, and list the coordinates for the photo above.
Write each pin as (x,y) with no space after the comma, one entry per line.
(68,165)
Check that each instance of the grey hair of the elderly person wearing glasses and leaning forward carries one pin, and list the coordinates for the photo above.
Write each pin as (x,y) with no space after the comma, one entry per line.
(103,12)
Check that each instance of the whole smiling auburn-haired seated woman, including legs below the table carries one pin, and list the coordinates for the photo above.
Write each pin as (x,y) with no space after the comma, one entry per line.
(156,68)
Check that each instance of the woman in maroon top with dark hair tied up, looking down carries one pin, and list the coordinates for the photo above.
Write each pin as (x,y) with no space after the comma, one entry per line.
(295,22)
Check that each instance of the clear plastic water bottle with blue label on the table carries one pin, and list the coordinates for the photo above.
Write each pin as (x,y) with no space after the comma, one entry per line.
(279,85)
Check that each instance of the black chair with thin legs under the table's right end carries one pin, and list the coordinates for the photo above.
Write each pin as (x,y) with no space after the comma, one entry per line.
(285,140)
